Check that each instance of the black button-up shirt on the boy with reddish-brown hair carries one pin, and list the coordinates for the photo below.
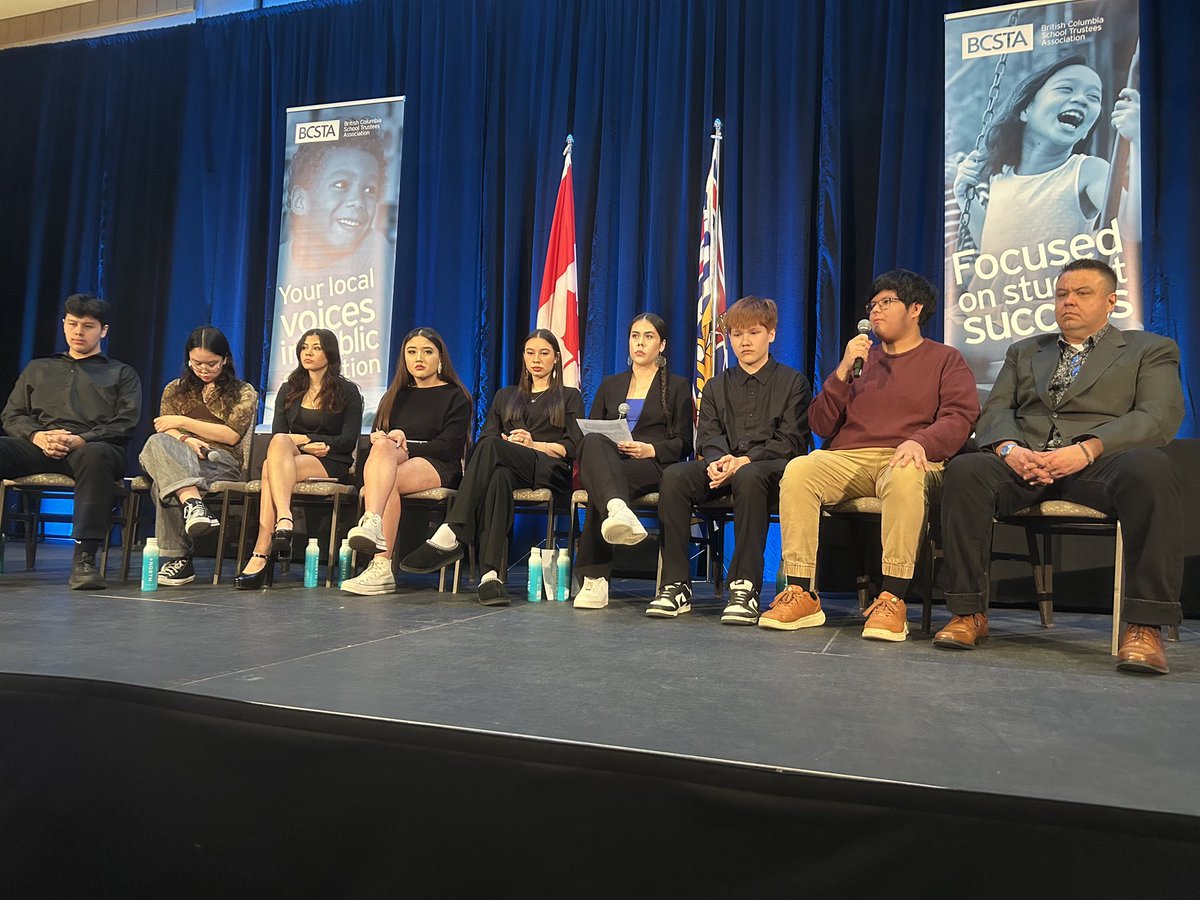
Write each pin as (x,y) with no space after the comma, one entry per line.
(764,416)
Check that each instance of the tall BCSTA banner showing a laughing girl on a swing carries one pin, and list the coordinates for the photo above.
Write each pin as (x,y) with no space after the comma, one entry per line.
(1043,166)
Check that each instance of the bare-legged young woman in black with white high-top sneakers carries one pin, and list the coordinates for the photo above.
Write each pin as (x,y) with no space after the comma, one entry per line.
(418,445)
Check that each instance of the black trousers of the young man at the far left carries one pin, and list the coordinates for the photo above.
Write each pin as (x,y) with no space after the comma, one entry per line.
(95,467)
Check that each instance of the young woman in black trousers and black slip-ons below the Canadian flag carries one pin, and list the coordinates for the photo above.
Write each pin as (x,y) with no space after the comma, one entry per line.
(529,441)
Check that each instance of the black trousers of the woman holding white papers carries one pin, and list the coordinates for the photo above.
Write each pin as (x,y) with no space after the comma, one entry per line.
(607,476)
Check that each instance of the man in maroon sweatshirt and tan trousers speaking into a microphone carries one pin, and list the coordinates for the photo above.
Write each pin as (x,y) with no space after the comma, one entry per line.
(889,434)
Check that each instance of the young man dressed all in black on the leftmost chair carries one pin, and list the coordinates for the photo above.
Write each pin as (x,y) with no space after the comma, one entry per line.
(74,413)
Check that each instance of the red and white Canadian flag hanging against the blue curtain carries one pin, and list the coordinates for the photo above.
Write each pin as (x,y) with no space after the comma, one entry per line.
(559,304)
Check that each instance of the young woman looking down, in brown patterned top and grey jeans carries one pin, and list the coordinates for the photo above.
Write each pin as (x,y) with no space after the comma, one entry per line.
(203,417)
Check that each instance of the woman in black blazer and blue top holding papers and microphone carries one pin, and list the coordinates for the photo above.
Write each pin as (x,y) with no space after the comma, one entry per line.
(659,411)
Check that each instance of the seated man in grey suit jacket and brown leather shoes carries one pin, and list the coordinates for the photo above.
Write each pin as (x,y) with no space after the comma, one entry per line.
(1082,417)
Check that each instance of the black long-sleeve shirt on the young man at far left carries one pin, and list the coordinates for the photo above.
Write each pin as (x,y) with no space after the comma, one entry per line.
(95,398)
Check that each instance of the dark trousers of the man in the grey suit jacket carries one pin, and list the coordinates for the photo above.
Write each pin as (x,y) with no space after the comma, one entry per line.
(1141,488)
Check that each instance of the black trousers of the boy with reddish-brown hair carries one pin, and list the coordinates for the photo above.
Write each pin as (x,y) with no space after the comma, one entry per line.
(755,491)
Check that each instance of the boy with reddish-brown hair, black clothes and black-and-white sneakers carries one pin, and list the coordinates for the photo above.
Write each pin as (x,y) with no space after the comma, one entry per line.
(753,421)
